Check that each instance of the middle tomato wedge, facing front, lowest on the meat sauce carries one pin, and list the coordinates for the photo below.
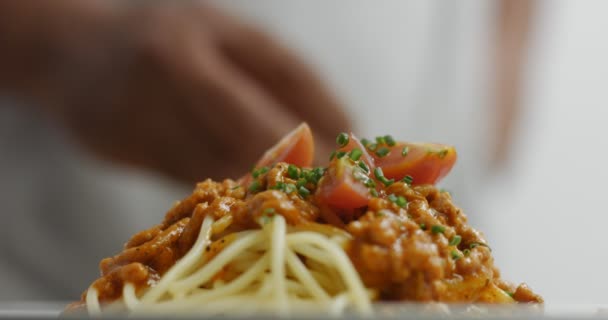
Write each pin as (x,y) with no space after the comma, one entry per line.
(340,189)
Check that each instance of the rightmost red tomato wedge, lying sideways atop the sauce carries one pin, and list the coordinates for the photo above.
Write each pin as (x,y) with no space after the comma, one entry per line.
(427,163)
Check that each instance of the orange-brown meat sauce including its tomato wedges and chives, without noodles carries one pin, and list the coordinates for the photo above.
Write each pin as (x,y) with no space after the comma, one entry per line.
(407,240)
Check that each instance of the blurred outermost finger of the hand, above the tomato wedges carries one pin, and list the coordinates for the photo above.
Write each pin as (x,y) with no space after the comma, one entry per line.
(283,74)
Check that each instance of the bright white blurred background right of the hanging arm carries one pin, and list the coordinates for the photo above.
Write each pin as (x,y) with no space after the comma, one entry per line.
(549,213)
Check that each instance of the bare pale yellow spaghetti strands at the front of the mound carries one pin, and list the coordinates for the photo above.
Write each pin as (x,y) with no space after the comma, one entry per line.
(264,283)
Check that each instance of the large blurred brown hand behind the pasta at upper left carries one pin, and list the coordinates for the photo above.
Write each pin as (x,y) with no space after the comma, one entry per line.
(184,89)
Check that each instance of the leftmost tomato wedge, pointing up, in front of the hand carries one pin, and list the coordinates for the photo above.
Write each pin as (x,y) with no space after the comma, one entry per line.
(296,147)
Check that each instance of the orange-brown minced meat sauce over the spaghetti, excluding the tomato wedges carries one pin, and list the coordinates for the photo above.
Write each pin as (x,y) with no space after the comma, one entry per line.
(421,251)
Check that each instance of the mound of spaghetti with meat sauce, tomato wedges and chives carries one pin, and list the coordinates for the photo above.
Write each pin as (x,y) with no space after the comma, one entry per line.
(287,237)
